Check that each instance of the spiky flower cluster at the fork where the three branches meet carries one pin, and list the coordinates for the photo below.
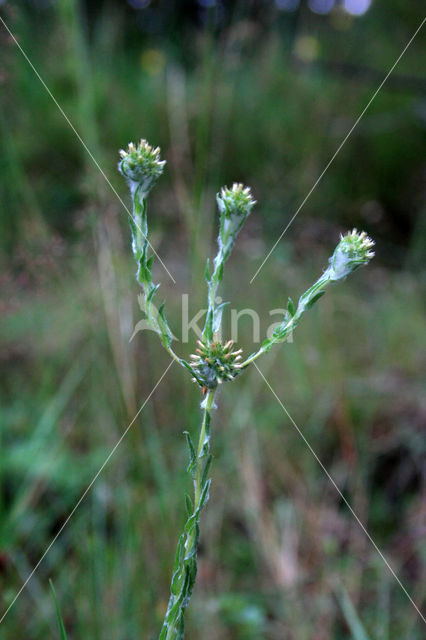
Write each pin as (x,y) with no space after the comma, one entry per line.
(215,363)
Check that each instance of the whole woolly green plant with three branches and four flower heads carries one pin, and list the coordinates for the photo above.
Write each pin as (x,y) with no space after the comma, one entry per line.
(213,362)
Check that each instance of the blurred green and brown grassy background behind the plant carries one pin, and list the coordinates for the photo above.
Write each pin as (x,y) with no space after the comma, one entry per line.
(261,92)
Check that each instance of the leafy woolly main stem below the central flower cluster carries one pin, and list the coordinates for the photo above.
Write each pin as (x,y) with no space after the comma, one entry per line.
(185,568)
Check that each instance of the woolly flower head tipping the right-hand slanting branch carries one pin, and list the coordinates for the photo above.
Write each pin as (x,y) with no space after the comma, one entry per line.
(352,251)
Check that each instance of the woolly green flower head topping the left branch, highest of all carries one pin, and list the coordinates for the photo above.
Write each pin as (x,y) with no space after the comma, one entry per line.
(141,165)
